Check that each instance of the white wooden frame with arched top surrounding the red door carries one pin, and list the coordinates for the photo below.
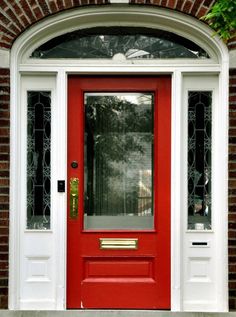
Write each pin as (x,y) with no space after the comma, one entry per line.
(24,73)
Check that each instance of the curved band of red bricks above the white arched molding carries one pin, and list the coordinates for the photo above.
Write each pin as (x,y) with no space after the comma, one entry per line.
(18,16)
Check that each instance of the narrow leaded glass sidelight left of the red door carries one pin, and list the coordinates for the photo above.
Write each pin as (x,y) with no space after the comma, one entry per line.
(38,159)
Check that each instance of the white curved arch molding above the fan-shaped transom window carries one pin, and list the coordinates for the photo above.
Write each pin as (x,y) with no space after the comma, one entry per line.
(156,18)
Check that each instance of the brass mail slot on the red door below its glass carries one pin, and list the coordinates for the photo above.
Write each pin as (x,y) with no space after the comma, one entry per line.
(118,244)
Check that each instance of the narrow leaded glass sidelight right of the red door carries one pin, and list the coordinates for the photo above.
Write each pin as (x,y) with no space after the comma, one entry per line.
(199,160)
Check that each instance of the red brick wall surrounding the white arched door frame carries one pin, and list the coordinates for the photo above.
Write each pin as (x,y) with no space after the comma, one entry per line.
(15,17)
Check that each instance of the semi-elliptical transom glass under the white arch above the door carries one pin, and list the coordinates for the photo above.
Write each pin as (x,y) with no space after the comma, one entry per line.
(132,43)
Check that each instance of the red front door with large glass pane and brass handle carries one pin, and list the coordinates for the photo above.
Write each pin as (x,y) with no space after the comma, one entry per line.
(118,192)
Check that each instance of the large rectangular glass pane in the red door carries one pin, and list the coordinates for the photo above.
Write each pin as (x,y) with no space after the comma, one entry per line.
(118,161)
